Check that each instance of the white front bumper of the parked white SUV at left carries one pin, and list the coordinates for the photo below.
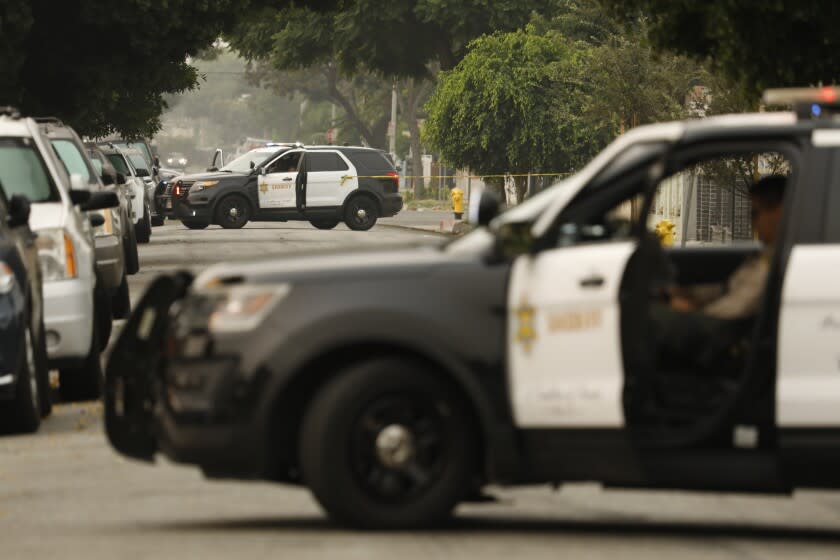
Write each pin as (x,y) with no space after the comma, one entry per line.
(68,318)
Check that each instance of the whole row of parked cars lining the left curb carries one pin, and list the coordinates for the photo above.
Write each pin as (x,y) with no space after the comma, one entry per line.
(71,215)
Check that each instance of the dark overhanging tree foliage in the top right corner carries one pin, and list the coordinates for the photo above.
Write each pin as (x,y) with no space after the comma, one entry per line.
(755,43)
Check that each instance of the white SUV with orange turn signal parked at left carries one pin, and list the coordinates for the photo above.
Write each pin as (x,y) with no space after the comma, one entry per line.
(76,305)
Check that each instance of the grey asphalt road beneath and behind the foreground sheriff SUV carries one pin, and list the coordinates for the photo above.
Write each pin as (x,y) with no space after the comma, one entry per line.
(64,493)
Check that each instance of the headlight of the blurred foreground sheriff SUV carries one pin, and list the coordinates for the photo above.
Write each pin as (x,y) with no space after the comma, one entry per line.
(243,308)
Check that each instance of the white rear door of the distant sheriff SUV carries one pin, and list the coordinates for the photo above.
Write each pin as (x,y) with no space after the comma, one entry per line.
(329,178)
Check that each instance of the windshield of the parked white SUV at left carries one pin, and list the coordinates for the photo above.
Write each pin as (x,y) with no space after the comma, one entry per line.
(22,171)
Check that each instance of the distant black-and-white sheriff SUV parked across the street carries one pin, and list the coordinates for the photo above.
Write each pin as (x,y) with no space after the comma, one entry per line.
(325,185)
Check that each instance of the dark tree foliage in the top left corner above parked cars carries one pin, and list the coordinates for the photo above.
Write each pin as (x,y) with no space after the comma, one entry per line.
(105,66)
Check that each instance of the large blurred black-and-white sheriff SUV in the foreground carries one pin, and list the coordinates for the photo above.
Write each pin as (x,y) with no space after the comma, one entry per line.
(396,383)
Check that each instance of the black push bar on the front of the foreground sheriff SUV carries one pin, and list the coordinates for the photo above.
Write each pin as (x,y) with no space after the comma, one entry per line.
(131,382)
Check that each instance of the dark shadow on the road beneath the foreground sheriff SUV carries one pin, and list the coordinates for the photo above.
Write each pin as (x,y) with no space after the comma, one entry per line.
(475,526)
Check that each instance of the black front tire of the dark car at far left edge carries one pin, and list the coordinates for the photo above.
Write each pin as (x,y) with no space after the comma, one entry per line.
(24,414)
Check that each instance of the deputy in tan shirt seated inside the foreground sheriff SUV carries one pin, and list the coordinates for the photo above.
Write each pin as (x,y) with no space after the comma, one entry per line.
(700,323)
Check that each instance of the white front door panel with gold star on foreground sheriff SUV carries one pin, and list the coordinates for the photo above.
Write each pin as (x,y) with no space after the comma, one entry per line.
(564,336)
